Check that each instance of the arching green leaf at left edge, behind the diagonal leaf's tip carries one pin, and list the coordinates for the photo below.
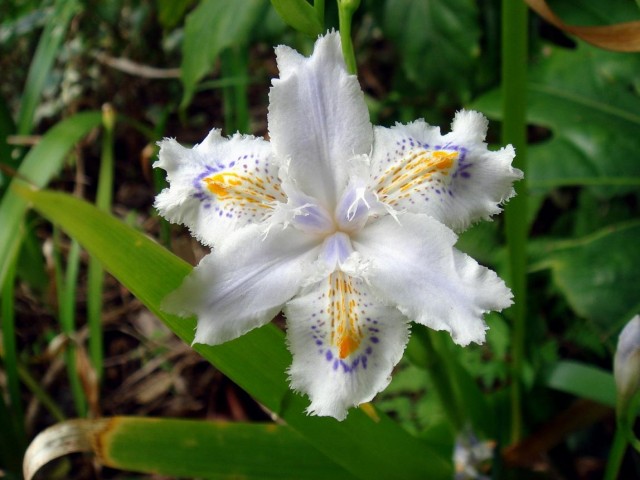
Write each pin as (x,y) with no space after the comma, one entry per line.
(38,167)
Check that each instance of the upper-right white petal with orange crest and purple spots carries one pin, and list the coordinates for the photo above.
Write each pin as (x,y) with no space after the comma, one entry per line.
(453,177)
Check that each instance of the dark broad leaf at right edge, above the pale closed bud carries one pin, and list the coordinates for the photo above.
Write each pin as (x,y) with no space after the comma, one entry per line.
(599,274)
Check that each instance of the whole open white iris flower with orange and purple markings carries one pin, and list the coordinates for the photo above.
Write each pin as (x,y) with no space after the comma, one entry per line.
(348,228)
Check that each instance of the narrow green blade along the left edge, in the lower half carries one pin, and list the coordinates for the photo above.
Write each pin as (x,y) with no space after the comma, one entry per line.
(9,352)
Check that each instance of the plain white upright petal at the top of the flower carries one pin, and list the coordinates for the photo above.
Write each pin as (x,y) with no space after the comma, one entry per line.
(318,118)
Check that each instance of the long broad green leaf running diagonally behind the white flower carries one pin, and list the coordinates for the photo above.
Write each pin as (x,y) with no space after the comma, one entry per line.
(369,445)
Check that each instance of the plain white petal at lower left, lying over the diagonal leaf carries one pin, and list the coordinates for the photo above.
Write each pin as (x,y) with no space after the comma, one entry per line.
(244,283)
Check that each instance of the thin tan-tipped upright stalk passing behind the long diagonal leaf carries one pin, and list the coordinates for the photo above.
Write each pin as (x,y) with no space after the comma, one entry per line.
(95,273)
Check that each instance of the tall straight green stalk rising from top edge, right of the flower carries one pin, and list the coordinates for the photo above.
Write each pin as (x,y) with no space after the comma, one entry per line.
(514,77)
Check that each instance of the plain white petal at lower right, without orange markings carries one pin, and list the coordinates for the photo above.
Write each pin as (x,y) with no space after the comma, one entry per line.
(415,266)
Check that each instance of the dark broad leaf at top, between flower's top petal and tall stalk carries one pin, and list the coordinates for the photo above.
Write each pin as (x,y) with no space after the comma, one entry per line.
(437,40)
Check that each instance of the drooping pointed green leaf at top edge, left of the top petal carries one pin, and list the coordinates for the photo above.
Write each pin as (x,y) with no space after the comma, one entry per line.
(213,26)
